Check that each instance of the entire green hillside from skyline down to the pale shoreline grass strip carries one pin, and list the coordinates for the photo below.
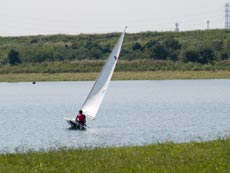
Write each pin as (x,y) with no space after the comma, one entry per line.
(147,51)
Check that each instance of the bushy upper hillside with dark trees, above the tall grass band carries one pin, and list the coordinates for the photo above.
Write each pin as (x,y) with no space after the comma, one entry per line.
(202,47)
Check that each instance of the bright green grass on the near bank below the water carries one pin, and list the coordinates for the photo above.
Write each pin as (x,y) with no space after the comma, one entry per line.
(213,156)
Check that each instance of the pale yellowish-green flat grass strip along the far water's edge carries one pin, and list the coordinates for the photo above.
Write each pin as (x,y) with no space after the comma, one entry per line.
(147,75)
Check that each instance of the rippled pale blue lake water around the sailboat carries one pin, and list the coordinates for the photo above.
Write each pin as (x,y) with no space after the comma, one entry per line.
(132,113)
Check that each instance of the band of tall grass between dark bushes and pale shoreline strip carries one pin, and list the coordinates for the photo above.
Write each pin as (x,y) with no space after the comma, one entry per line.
(122,66)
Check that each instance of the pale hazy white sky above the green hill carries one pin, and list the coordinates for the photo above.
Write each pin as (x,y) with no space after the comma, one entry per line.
(33,17)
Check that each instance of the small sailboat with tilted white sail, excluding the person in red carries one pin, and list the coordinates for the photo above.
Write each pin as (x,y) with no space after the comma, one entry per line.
(97,93)
